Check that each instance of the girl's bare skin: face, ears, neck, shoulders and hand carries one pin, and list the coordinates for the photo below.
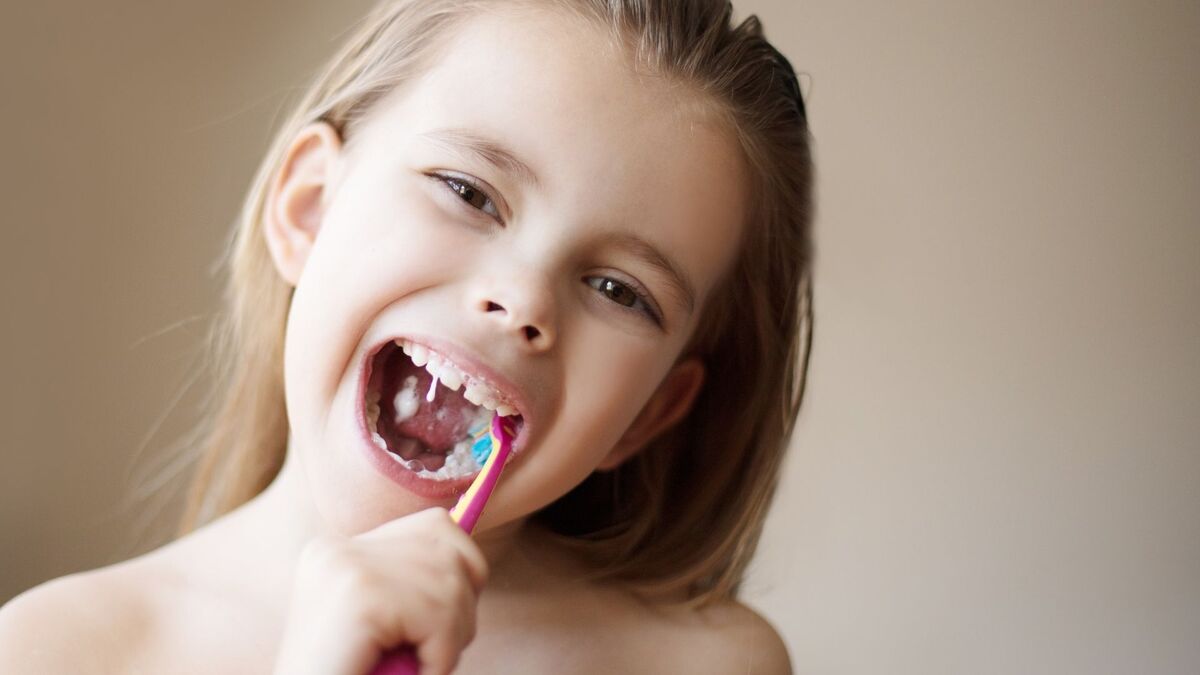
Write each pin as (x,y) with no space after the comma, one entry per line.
(377,247)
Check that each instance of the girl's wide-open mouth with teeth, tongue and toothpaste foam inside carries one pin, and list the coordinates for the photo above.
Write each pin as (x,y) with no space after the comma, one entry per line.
(429,414)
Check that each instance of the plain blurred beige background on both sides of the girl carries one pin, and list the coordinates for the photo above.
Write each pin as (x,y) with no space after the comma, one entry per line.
(999,465)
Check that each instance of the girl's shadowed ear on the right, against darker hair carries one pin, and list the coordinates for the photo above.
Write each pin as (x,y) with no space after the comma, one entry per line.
(669,404)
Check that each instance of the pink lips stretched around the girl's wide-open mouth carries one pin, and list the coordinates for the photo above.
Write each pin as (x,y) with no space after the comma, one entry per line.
(471,366)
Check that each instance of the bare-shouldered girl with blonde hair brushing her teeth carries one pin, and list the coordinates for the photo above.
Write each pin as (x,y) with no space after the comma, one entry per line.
(591,217)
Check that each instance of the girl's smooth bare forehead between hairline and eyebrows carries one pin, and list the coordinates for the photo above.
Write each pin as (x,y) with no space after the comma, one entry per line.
(614,150)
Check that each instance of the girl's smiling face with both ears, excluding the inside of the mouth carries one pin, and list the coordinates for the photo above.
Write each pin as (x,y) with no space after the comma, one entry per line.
(532,285)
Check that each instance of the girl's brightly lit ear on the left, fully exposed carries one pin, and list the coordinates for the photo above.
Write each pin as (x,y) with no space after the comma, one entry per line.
(298,196)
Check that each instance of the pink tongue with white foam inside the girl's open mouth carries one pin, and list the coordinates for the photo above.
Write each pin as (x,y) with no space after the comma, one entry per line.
(437,426)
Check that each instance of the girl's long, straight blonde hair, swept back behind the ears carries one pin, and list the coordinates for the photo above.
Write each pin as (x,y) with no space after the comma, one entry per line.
(686,515)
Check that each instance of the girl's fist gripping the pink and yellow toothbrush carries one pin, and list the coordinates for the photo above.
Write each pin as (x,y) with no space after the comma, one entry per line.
(413,581)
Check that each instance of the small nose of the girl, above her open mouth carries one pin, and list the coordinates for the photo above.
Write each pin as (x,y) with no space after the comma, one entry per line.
(519,308)
